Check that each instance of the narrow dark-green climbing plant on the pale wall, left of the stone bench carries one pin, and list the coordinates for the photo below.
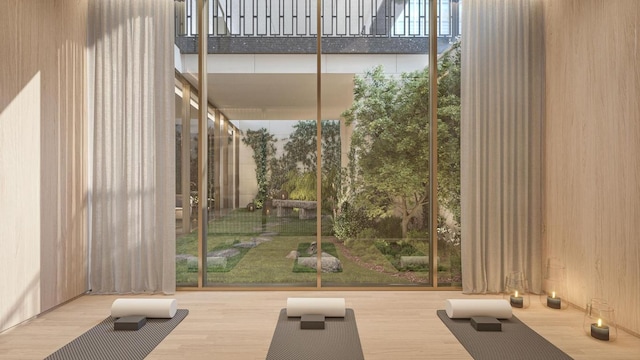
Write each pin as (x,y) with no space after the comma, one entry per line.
(263,145)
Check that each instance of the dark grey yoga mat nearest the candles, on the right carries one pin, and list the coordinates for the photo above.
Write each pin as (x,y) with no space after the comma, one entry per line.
(516,341)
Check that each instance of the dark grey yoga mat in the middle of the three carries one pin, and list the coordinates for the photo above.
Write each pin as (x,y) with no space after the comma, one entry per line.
(339,339)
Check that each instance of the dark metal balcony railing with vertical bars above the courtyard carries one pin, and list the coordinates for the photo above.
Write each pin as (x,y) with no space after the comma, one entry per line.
(340,18)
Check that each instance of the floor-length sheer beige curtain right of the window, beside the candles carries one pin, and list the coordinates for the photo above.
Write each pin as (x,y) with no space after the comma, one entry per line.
(501,155)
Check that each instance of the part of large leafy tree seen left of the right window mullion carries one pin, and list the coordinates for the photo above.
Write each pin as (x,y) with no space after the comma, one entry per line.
(390,144)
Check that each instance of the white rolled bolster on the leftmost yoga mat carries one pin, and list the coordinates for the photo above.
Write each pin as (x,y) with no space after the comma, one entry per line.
(150,308)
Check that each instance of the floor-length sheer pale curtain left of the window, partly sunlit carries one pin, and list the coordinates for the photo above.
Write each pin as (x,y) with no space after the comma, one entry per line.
(131,110)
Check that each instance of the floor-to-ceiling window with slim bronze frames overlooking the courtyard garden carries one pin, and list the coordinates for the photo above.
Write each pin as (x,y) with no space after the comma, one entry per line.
(318,165)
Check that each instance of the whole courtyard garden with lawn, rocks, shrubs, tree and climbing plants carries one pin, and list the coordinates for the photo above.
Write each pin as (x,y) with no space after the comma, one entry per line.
(374,199)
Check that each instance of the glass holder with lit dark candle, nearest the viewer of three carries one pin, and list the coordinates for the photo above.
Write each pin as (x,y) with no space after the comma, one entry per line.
(599,321)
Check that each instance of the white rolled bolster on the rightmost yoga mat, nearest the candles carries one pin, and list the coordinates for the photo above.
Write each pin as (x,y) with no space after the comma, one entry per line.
(468,308)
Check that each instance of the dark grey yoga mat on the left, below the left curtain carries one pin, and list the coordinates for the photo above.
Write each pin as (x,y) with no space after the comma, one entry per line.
(102,342)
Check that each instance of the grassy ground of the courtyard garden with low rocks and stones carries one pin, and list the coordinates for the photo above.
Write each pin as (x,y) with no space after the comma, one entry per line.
(242,250)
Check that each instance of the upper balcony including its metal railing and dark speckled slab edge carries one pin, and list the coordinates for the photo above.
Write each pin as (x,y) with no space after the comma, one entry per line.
(290,27)
